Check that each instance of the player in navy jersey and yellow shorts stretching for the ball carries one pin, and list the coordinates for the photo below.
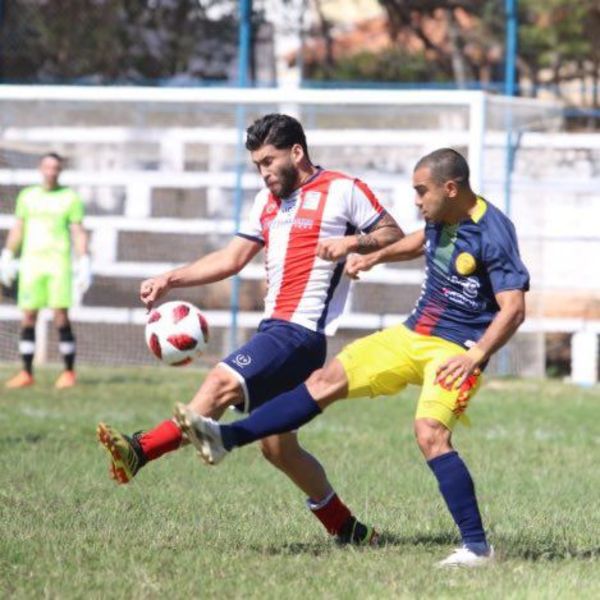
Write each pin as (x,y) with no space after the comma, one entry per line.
(472,302)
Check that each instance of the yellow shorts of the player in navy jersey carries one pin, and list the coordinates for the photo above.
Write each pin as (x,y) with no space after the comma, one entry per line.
(383,363)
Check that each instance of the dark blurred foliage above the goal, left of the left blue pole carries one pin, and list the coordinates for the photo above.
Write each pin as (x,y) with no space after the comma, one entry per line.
(116,40)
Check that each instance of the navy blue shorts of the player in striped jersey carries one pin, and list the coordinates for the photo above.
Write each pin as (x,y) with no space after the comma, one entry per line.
(277,358)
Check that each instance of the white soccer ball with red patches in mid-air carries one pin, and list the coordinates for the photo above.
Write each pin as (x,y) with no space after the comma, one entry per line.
(176,332)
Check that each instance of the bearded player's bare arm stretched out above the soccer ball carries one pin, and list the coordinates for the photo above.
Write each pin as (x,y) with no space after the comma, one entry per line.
(215,266)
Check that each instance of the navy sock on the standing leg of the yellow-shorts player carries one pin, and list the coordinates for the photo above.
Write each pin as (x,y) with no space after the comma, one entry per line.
(458,491)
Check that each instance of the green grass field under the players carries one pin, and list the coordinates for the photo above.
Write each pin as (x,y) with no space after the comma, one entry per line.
(183,530)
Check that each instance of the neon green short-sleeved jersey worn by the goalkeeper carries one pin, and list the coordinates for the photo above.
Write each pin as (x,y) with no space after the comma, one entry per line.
(47,216)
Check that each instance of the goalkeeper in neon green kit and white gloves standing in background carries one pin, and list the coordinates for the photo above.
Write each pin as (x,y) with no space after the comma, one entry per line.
(48,223)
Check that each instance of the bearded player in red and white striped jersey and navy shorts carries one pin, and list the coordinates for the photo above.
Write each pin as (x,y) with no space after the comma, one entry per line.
(305,221)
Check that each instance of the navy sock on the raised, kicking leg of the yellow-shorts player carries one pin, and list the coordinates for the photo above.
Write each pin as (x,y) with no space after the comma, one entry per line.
(279,415)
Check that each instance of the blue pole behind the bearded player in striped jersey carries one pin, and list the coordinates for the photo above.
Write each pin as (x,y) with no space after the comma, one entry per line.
(244,41)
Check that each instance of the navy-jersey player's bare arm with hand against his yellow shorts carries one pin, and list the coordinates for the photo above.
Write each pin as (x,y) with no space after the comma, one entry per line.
(457,369)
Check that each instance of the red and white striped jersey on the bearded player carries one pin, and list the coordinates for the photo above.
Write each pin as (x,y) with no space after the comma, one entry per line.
(303,288)
